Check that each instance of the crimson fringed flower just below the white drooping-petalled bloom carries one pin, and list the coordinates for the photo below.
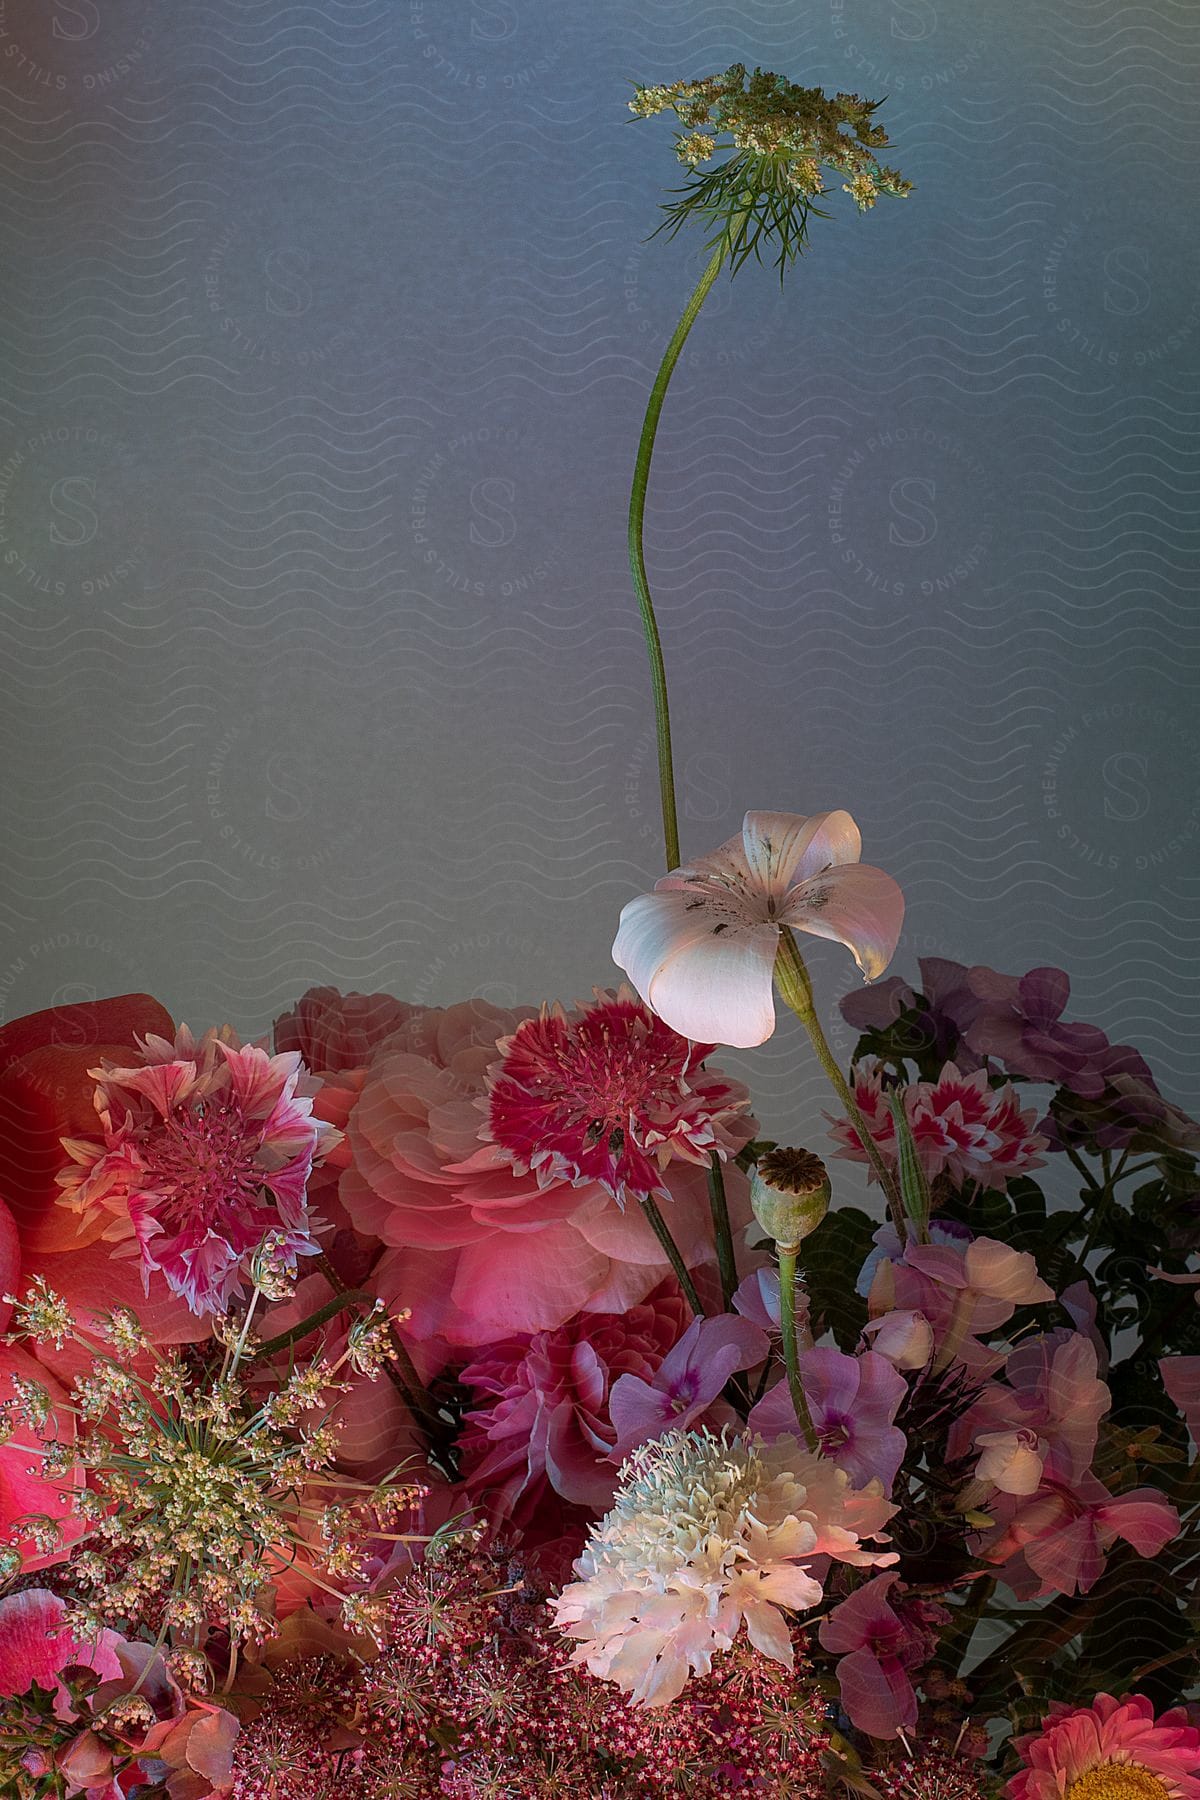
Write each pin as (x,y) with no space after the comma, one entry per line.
(611,1093)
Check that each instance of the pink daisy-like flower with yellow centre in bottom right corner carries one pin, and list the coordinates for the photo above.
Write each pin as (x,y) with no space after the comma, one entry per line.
(1111,1750)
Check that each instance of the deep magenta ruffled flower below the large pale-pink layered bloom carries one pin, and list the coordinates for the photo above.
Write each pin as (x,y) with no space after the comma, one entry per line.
(548,1416)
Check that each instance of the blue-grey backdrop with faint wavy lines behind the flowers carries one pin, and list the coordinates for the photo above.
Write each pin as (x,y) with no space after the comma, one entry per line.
(328,334)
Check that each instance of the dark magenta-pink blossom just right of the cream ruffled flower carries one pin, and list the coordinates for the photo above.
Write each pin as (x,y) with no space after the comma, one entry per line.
(877,1648)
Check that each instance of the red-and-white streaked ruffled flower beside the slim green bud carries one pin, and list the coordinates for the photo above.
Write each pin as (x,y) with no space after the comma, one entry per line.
(960,1126)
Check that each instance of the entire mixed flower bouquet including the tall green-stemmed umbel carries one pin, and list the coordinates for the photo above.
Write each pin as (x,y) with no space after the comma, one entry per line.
(454,1401)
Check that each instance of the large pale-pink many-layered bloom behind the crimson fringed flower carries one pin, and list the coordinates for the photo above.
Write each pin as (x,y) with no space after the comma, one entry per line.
(481,1250)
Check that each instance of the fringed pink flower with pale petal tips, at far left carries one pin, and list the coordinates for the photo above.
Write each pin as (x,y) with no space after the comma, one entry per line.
(206,1149)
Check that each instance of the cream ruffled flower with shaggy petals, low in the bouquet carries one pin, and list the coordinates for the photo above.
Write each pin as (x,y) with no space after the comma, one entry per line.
(708,1534)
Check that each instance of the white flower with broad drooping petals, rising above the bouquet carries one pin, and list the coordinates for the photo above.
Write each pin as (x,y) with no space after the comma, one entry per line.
(701,949)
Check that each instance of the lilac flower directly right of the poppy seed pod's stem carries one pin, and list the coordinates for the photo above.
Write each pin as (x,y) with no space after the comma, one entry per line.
(854,1401)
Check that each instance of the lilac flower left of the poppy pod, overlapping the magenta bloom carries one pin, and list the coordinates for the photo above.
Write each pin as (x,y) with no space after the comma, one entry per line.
(686,1383)
